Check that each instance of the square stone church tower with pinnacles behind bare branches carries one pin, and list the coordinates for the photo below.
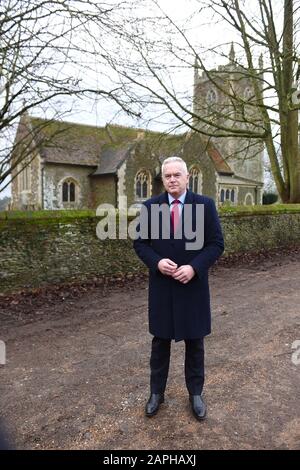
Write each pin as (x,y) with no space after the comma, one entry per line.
(212,103)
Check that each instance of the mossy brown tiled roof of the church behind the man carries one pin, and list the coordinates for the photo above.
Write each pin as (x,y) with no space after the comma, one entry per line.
(105,148)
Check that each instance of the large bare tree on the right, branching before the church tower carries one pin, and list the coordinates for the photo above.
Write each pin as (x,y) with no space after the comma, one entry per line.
(266,37)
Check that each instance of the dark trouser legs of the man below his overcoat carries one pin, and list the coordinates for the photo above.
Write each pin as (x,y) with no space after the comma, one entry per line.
(193,366)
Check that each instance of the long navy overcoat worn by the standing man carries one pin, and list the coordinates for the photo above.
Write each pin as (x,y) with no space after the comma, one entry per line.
(180,311)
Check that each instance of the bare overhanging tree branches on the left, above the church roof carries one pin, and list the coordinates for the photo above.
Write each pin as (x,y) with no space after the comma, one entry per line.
(46,57)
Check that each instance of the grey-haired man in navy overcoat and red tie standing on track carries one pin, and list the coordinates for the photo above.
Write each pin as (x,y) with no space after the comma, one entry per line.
(179,299)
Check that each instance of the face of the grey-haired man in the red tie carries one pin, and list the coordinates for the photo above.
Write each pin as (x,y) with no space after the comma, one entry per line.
(175,179)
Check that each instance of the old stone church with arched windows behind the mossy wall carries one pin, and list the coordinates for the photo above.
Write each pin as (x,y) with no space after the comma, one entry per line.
(76,166)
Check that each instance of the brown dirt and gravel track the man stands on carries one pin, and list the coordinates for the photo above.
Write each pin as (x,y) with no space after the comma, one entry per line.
(77,366)
